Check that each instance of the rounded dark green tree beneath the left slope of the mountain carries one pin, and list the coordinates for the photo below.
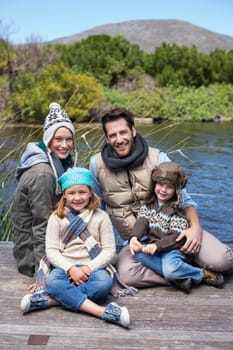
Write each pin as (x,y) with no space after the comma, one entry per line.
(105,57)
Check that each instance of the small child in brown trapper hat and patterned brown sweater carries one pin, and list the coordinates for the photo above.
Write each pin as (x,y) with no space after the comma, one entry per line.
(162,221)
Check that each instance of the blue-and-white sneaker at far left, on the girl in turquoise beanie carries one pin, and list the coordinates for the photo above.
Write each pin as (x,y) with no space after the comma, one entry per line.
(34,301)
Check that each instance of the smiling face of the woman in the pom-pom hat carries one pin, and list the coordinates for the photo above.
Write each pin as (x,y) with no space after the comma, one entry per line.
(62,143)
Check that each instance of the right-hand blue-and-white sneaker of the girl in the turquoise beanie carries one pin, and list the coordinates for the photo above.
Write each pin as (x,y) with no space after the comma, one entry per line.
(117,314)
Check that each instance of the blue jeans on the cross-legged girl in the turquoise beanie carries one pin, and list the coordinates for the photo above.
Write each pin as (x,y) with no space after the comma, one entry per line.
(71,296)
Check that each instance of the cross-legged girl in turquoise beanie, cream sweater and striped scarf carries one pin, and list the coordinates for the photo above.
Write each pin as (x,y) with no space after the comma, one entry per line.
(80,246)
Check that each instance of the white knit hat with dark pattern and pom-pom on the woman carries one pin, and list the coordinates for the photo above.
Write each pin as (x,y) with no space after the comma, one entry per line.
(56,119)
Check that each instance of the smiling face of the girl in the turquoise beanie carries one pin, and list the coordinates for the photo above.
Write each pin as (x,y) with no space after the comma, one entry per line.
(77,197)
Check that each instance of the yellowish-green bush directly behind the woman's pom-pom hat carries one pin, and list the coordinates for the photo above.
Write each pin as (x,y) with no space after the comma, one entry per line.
(79,92)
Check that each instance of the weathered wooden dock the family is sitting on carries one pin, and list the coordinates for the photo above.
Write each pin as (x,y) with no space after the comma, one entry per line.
(162,318)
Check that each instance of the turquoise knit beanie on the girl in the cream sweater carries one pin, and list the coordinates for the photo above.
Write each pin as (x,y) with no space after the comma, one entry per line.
(75,176)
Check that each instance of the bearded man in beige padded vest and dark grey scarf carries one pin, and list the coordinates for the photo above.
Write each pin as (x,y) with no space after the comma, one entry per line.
(121,175)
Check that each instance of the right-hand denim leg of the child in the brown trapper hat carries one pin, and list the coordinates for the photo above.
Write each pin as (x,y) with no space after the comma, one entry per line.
(175,267)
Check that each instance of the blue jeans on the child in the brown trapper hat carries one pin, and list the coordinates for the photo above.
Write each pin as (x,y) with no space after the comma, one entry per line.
(171,265)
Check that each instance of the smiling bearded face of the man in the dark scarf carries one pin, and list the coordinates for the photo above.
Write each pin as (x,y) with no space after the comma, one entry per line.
(120,137)
